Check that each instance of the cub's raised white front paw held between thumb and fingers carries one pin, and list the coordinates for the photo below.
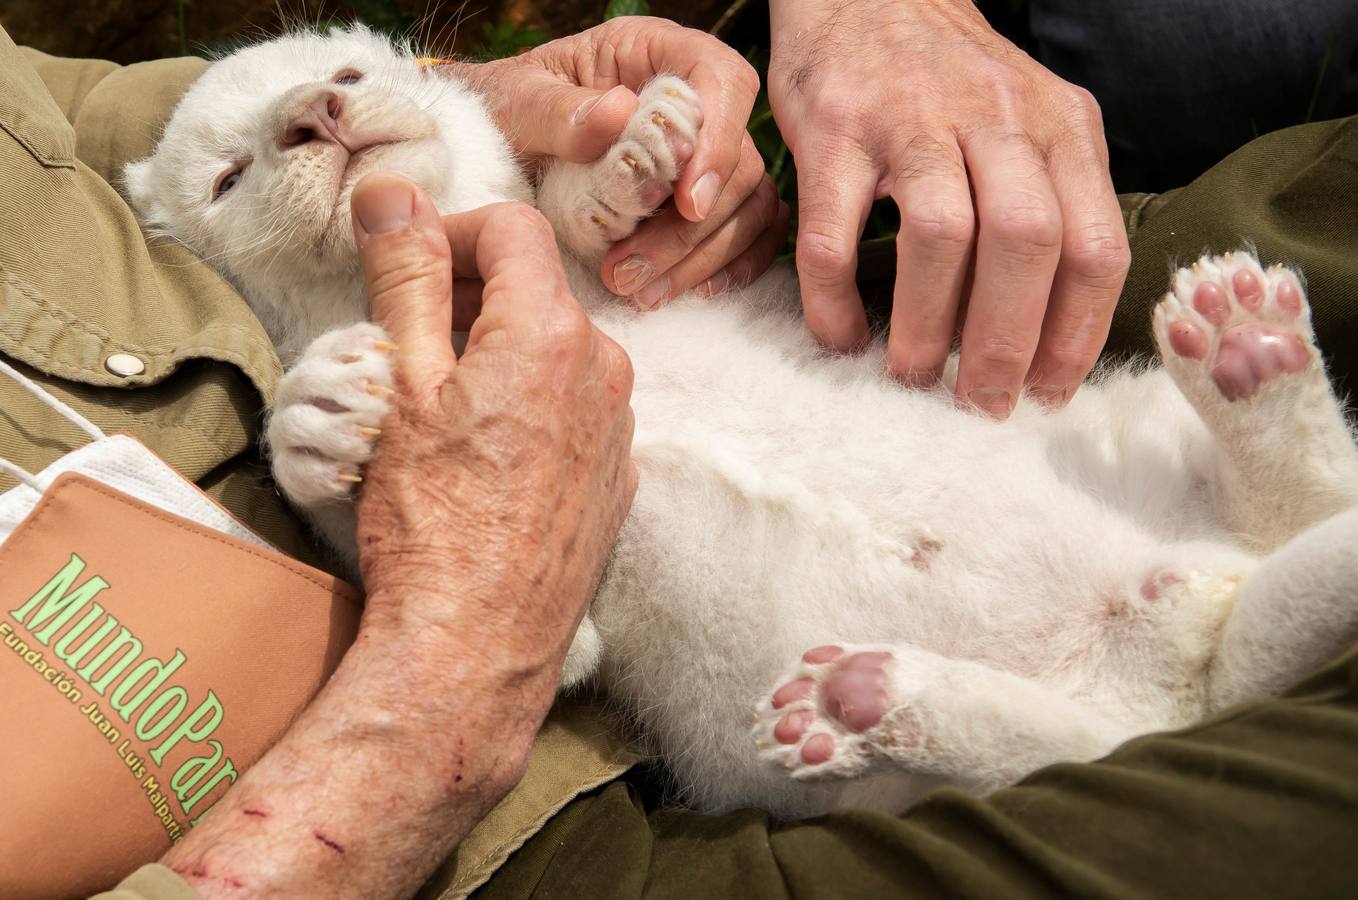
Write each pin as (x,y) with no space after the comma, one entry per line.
(602,203)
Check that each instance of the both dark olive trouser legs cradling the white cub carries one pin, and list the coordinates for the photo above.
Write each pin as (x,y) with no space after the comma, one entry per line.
(1260,802)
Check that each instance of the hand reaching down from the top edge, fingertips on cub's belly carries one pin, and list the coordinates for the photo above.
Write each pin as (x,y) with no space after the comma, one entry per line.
(1010,225)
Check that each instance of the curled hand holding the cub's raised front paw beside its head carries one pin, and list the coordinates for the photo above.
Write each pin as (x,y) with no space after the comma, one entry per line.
(571,98)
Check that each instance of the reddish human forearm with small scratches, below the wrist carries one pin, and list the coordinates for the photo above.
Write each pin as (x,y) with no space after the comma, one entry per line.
(378,781)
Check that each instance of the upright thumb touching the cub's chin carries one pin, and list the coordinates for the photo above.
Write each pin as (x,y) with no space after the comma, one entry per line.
(408,271)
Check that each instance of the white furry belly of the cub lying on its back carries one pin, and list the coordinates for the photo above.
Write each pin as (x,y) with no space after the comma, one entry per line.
(790,500)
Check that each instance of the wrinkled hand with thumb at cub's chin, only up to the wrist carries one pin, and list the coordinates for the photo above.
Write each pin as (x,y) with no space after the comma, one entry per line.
(507,472)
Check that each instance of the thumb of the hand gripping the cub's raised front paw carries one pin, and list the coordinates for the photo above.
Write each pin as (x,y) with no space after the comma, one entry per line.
(545,116)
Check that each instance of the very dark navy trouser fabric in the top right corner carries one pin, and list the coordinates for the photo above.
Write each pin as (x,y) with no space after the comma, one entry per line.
(1182,83)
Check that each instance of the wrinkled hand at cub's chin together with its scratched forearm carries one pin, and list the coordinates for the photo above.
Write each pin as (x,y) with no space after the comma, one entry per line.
(496,492)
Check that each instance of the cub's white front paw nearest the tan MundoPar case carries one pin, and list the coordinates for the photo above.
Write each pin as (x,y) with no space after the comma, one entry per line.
(329,413)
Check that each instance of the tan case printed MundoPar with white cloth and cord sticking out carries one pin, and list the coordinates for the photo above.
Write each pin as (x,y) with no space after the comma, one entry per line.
(147,659)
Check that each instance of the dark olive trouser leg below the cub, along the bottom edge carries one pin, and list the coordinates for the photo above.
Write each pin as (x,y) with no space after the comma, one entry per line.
(1258,803)
